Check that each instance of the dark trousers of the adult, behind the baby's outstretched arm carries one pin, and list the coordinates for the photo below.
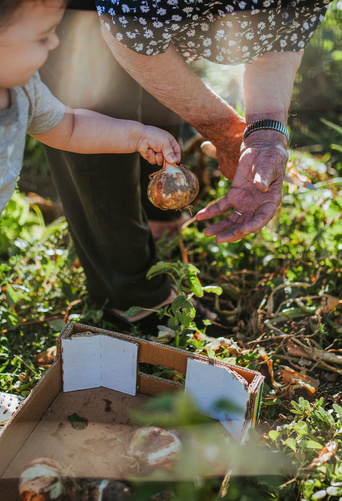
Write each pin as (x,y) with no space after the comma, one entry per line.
(104,196)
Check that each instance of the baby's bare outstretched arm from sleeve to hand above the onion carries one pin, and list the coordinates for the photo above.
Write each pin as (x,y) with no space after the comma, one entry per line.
(84,131)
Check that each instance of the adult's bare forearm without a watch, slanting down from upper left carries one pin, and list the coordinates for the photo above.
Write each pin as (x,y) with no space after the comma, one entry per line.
(168,78)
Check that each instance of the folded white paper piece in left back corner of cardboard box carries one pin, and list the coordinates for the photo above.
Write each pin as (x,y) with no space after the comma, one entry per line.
(93,361)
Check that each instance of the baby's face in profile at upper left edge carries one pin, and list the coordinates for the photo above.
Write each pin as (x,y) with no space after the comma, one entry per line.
(26,42)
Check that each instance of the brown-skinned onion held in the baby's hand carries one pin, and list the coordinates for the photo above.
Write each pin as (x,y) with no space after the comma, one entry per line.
(173,187)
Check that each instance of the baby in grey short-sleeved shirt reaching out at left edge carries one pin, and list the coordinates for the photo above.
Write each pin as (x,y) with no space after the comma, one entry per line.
(27,34)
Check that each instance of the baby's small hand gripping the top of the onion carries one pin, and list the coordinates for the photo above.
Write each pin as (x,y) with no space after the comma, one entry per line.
(156,144)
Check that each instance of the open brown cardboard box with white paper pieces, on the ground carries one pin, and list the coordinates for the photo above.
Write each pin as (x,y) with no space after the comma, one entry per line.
(96,376)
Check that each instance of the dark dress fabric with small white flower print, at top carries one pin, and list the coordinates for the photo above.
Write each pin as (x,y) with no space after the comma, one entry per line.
(227,32)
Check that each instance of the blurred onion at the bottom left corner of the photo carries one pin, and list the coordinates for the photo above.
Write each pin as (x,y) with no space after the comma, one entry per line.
(41,480)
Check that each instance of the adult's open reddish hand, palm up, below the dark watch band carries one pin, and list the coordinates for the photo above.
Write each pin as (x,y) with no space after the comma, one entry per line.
(256,190)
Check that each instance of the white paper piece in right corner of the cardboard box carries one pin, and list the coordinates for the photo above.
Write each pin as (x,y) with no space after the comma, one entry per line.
(211,384)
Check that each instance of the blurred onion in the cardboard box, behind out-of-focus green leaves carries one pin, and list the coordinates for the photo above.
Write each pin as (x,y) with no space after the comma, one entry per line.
(154,447)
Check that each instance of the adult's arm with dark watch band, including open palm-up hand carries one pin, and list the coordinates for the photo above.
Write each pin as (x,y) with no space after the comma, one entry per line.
(256,190)
